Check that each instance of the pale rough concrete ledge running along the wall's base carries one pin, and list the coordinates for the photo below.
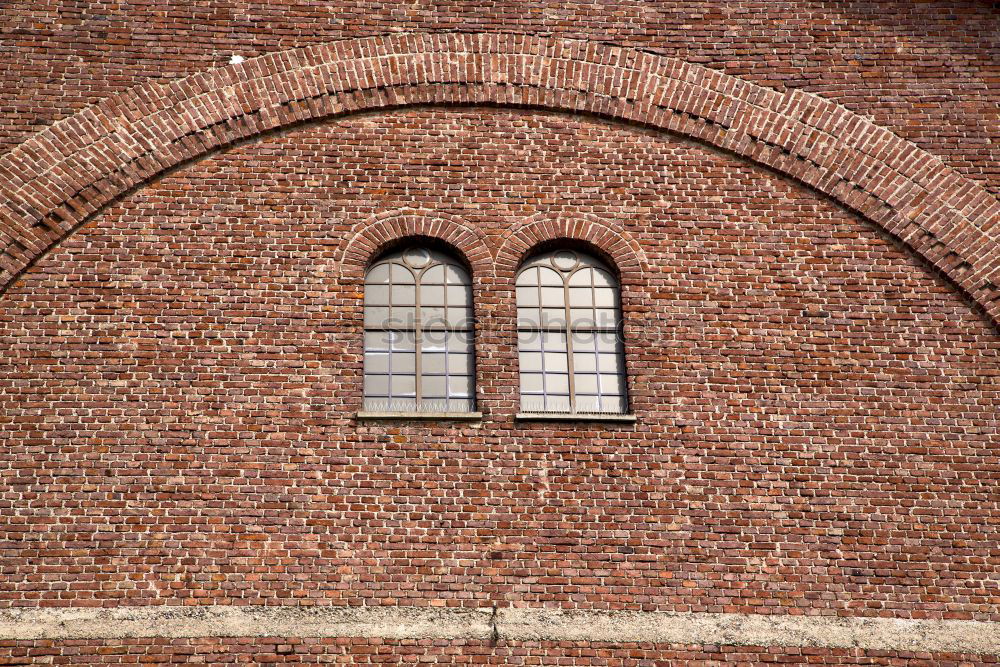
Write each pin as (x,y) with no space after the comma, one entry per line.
(508,624)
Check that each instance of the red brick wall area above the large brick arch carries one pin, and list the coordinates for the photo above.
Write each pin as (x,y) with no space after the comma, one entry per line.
(926,70)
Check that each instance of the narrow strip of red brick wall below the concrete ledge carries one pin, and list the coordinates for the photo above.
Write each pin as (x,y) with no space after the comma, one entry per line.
(368,652)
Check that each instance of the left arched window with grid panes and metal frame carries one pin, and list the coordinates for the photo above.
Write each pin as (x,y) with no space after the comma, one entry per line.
(418,334)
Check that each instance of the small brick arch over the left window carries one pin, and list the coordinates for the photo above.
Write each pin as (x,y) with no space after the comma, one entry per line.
(369,237)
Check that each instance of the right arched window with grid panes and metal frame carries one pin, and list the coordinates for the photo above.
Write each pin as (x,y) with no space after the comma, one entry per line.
(569,336)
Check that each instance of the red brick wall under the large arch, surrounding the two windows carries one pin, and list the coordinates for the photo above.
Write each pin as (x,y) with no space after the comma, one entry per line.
(816,410)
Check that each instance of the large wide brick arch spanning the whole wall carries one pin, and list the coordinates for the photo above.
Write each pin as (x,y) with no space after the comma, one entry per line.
(57,179)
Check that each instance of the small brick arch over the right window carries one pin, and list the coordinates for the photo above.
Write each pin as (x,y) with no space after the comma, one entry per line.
(610,238)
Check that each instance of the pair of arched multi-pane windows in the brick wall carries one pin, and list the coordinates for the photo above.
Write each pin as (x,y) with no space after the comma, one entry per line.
(419,335)
